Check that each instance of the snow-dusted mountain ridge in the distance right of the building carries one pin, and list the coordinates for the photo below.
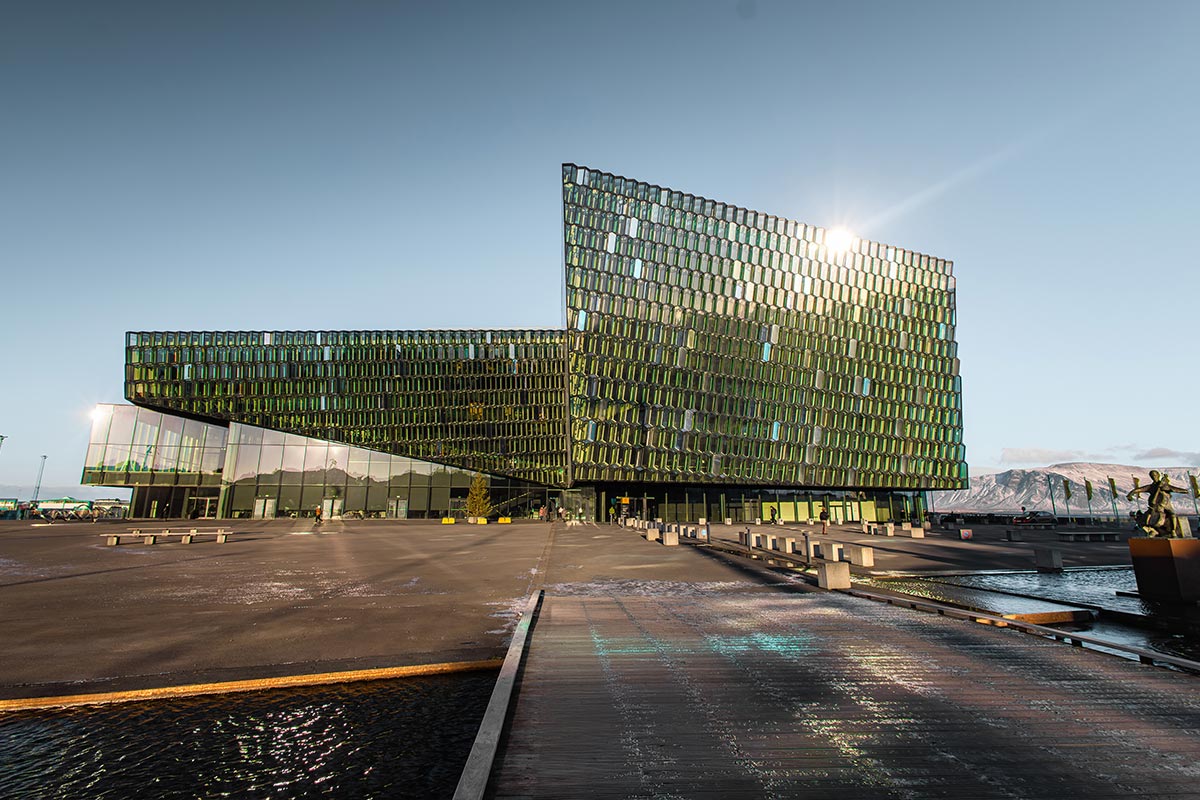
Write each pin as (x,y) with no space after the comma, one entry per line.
(1011,490)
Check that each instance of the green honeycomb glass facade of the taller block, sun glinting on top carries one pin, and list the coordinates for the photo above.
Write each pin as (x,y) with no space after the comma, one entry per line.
(709,344)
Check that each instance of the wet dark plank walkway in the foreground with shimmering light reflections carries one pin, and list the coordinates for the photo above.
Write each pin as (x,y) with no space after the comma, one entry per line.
(731,695)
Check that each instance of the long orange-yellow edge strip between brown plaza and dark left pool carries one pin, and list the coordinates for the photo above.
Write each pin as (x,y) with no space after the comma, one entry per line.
(255,685)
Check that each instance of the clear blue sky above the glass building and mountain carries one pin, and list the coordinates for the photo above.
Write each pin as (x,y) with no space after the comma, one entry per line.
(291,165)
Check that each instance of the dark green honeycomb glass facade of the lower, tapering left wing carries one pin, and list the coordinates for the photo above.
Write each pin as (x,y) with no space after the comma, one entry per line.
(488,401)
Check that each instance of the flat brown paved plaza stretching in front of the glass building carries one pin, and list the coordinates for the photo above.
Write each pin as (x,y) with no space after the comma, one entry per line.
(285,598)
